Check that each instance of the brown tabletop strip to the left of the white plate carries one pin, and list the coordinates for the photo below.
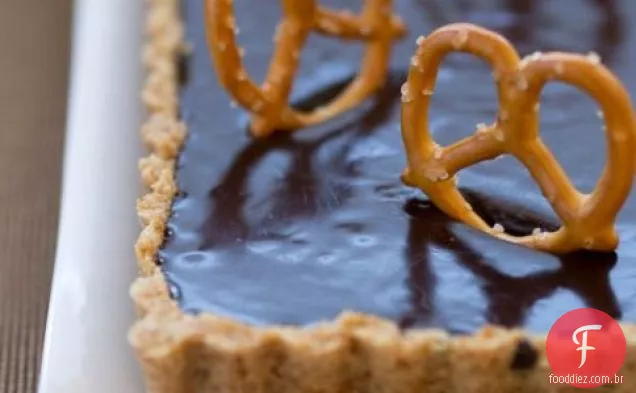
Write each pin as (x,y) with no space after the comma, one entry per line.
(34,40)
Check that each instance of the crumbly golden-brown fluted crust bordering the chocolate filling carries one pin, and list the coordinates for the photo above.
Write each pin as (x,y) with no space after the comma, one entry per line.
(181,353)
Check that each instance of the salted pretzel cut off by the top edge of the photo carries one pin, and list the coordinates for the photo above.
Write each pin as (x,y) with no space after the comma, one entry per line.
(376,25)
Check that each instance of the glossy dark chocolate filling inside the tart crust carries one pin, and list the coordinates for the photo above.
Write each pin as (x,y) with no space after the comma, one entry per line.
(293,230)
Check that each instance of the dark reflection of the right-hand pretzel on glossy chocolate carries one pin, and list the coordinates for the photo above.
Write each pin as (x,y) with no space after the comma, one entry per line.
(584,274)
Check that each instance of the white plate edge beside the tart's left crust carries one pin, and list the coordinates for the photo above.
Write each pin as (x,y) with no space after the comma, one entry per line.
(90,311)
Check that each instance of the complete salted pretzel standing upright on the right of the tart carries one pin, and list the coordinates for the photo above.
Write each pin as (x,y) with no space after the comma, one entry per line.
(588,219)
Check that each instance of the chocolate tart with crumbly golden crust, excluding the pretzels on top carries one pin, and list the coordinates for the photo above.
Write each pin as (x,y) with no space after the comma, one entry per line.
(300,263)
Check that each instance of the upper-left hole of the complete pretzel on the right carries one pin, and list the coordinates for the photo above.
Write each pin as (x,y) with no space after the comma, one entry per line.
(464,96)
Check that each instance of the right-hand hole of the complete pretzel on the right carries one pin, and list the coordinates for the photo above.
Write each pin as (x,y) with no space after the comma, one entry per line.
(572,127)
